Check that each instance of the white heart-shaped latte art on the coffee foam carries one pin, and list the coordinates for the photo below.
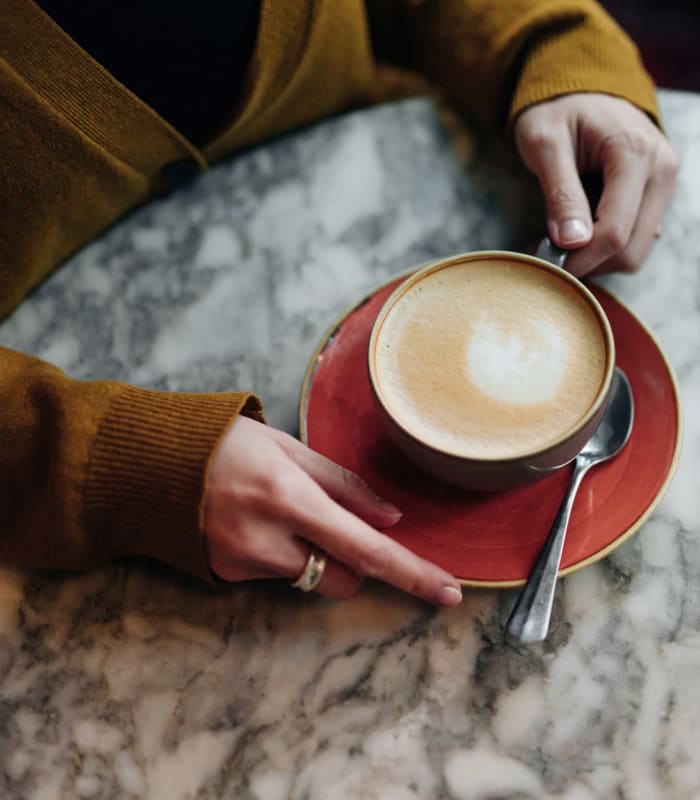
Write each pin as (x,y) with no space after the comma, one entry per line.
(521,368)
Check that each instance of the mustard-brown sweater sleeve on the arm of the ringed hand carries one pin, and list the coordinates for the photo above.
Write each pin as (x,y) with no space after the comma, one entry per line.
(95,471)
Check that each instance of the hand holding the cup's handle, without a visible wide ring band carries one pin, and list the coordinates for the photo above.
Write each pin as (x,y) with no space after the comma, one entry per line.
(561,138)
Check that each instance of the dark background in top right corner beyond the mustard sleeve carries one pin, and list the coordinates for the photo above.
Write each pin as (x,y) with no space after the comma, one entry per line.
(667,33)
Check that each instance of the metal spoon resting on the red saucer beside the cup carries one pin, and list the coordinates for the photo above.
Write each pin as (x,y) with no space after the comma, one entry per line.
(529,619)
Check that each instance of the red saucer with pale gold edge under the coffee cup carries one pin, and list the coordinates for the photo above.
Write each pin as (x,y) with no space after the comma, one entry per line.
(493,539)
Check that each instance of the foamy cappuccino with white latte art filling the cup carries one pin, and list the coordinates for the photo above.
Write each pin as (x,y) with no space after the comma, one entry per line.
(490,358)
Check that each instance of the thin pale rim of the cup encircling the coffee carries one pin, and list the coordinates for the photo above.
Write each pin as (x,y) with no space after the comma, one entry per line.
(443,263)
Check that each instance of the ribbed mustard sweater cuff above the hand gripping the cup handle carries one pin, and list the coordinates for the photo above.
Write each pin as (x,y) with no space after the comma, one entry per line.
(590,55)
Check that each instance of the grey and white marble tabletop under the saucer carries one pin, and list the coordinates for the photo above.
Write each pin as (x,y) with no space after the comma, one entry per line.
(135,682)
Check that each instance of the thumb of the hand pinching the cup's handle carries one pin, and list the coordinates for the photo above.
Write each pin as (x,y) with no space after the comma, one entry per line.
(569,219)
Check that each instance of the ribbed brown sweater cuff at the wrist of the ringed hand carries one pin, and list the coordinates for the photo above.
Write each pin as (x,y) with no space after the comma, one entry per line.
(148,471)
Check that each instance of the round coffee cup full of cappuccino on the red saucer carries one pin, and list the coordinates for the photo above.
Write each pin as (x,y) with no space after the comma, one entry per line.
(491,369)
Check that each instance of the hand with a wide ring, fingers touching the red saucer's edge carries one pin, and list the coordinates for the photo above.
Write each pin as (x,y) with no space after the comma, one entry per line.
(269,499)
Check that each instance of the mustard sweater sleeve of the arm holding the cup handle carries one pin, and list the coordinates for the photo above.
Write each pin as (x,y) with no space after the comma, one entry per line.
(495,59)
